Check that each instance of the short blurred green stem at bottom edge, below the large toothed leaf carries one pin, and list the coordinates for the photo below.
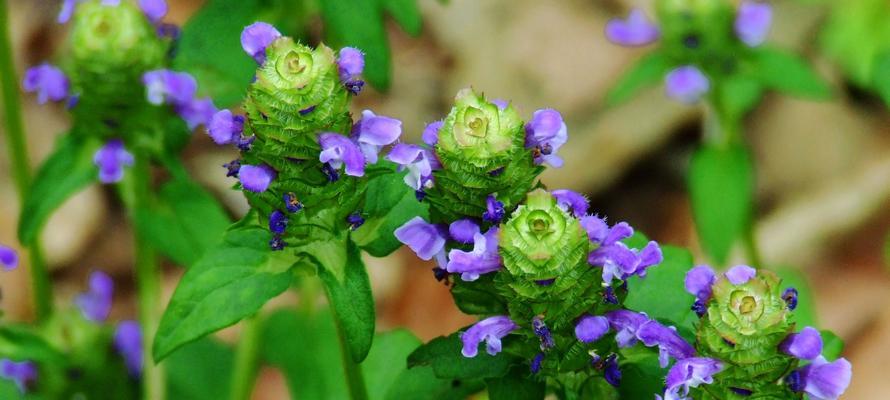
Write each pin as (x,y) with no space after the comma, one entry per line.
(246,359)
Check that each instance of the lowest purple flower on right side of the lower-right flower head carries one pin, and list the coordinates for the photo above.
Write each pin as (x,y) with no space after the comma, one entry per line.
(824,380)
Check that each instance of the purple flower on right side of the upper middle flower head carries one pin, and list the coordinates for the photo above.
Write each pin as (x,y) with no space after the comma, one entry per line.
(545,134)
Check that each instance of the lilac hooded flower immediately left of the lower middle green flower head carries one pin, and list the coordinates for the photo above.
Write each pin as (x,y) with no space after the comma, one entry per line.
(484,257)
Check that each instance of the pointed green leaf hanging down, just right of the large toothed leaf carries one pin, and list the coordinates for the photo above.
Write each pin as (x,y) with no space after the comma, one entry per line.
(352,303)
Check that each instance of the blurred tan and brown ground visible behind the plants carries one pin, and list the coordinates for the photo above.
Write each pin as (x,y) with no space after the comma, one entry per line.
(823,168)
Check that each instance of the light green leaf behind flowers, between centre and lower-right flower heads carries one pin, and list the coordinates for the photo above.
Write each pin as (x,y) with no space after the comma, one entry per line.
(661,293)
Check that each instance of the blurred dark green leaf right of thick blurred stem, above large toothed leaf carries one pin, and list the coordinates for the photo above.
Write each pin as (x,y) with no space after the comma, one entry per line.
(184,222)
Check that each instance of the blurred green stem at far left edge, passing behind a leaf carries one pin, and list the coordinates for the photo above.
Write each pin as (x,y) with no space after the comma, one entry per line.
(18,155)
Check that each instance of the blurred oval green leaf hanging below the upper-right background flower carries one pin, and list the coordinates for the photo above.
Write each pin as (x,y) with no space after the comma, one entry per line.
(721,186)
